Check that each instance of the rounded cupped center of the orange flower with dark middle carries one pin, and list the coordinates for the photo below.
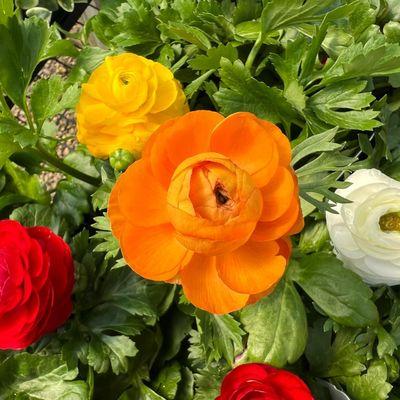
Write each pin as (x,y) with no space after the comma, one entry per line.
(213,204)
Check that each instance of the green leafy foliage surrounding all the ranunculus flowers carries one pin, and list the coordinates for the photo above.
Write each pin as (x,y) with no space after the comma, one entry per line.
(327,72)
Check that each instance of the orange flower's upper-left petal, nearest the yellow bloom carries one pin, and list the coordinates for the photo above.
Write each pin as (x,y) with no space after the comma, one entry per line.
(180,139)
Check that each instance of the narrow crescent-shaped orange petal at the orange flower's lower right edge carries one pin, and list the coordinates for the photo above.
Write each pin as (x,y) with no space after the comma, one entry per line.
(280,227)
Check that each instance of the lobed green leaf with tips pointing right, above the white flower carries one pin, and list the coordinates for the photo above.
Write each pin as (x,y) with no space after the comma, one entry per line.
(344,105)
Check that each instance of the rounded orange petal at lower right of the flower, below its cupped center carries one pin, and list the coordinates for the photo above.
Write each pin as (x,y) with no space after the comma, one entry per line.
(253,268)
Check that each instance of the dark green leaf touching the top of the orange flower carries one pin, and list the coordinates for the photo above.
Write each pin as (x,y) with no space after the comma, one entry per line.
(242,92)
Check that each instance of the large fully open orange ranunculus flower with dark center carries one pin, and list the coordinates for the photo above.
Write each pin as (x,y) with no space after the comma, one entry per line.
(211,205)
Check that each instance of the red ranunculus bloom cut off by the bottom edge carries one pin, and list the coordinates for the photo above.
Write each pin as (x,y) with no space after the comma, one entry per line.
(263,382)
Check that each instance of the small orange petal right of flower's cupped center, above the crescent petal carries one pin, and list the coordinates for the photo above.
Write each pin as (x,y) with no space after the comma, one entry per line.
(277,195)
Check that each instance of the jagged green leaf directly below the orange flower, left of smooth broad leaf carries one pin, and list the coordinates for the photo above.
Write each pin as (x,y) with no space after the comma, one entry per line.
(220,336)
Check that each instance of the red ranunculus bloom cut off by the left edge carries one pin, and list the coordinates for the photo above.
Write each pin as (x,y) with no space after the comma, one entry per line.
(36,281)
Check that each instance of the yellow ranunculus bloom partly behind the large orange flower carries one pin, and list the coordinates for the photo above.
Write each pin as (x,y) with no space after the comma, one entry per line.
(125,100)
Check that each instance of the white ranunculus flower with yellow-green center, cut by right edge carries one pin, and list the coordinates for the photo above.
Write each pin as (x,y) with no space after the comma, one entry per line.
(366,232)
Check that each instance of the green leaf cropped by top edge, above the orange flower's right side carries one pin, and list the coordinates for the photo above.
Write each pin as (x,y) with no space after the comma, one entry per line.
(279,14)
